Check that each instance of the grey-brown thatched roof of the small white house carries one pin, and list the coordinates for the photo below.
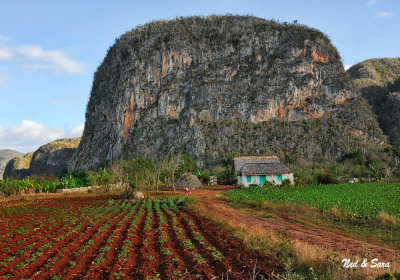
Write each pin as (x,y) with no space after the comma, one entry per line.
(259,165)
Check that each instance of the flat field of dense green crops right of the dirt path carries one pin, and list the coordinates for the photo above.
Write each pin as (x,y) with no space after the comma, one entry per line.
(359,200)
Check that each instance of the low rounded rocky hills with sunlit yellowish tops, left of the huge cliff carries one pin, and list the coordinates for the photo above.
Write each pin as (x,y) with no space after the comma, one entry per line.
(49,159)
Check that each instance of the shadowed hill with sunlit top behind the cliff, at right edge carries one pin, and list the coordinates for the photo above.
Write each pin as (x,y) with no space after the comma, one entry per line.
(379,82)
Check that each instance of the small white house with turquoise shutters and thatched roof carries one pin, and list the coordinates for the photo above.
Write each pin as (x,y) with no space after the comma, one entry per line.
(255,170)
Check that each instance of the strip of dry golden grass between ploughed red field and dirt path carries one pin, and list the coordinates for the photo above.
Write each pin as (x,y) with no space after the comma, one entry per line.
(300,260)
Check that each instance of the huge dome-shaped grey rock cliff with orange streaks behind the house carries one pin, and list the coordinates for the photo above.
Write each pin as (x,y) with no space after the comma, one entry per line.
(208,87)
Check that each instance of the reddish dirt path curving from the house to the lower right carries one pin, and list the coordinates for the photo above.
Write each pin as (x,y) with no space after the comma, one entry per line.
(340,243)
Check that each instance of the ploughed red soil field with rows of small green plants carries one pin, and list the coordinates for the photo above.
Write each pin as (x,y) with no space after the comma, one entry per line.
(98,238)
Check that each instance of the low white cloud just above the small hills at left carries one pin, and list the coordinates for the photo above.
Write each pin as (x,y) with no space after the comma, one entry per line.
(28,135)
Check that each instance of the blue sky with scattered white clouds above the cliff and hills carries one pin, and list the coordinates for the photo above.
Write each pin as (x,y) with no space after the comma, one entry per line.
(49,50)
